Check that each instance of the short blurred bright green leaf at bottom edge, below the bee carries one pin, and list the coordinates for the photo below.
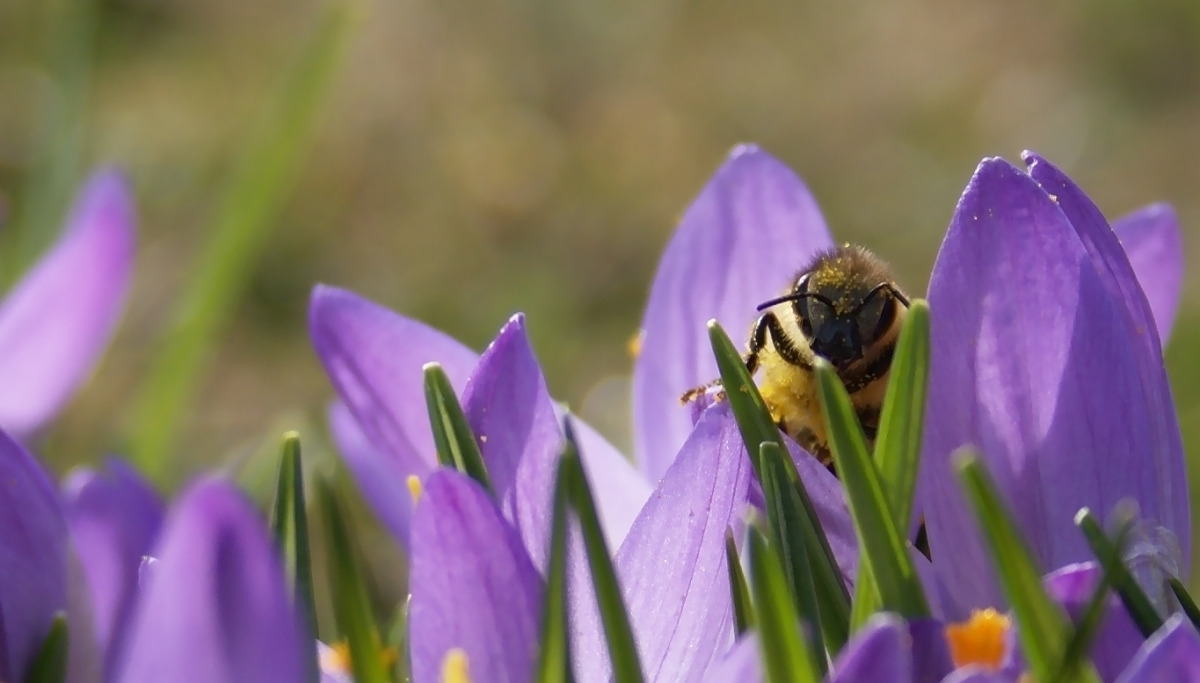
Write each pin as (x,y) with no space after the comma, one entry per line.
(787,656)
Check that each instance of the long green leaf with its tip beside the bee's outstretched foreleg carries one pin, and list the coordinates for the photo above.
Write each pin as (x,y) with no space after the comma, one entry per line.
(805,537)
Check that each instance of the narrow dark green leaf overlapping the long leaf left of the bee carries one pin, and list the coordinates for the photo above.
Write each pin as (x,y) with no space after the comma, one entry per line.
(784,513)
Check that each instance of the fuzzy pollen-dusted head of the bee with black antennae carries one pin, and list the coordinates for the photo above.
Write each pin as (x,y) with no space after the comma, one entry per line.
(842,307)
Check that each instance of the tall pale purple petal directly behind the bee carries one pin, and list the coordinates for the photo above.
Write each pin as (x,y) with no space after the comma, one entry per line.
(748,232)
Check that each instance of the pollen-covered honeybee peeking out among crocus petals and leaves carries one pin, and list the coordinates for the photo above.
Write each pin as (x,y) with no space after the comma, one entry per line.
(844,308)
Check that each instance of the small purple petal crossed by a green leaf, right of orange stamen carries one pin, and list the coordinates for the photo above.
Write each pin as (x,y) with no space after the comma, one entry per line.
(1119,639)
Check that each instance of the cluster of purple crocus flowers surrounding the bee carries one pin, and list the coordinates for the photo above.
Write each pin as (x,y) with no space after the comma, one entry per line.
(1046,357)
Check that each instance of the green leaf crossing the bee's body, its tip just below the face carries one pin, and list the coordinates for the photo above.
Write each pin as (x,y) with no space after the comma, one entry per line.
(881,544)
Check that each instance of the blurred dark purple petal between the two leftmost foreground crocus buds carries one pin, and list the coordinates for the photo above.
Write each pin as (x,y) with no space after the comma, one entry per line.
(115,520)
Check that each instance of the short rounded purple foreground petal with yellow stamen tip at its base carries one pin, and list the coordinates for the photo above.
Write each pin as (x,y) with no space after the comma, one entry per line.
(473,586)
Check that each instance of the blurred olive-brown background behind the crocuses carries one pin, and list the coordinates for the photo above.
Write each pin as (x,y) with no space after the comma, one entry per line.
(472,159)
